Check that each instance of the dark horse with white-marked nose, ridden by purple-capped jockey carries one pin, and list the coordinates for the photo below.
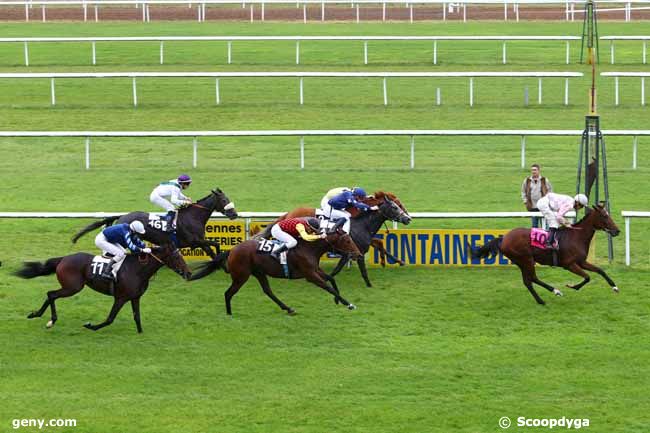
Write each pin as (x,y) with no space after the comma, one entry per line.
(190,231)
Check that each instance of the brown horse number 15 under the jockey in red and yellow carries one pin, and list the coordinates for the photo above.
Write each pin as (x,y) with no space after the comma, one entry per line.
(303,262)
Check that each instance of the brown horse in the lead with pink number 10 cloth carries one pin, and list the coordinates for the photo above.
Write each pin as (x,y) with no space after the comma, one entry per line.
(572,255)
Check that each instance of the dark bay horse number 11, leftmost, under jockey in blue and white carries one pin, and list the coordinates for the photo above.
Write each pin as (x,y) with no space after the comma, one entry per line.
(74,272)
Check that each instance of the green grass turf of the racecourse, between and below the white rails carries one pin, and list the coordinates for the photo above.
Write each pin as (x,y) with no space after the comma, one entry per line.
(428,350)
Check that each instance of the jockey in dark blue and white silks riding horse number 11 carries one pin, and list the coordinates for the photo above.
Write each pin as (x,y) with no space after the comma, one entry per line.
(116,239)
